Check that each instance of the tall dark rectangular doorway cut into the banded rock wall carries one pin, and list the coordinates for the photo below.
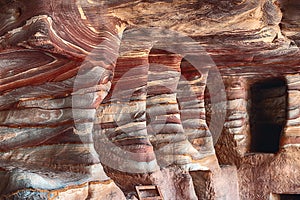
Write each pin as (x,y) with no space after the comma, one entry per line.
(268,114)
